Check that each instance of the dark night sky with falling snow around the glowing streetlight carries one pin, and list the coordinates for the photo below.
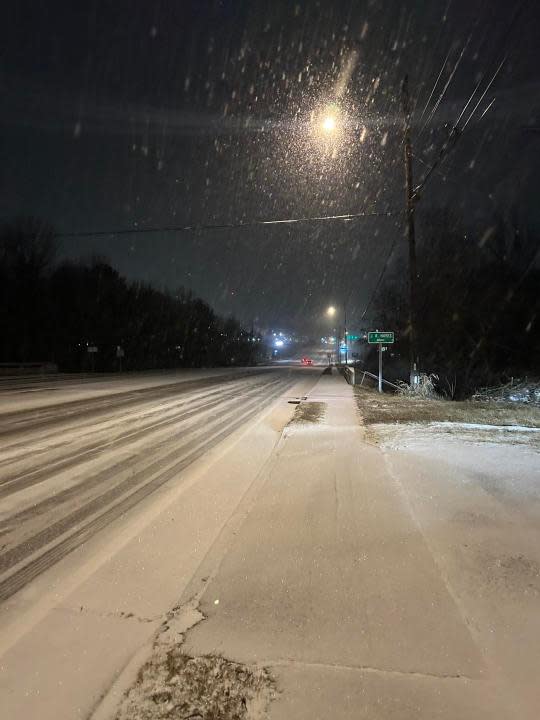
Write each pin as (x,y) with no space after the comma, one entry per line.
(137,114)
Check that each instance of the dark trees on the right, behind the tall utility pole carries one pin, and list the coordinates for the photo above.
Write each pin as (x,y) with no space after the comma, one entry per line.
(477,303)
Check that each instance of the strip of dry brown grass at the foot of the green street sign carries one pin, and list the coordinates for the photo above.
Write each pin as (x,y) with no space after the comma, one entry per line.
(389,408)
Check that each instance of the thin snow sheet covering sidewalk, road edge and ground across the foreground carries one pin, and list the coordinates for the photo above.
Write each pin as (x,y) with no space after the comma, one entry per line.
(400,580)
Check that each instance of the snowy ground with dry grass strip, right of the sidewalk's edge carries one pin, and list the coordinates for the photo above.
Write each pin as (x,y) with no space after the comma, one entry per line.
(470,475)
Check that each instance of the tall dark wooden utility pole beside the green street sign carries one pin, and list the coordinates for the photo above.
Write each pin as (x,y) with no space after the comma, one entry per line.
(411,199)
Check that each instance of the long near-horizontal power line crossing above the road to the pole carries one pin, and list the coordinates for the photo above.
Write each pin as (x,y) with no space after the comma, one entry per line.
(202,227)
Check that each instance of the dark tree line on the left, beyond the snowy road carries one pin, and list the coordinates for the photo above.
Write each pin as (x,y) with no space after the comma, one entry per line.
(53,311)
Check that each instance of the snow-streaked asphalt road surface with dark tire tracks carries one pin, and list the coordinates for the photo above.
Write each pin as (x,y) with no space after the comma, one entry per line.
(69,469)
